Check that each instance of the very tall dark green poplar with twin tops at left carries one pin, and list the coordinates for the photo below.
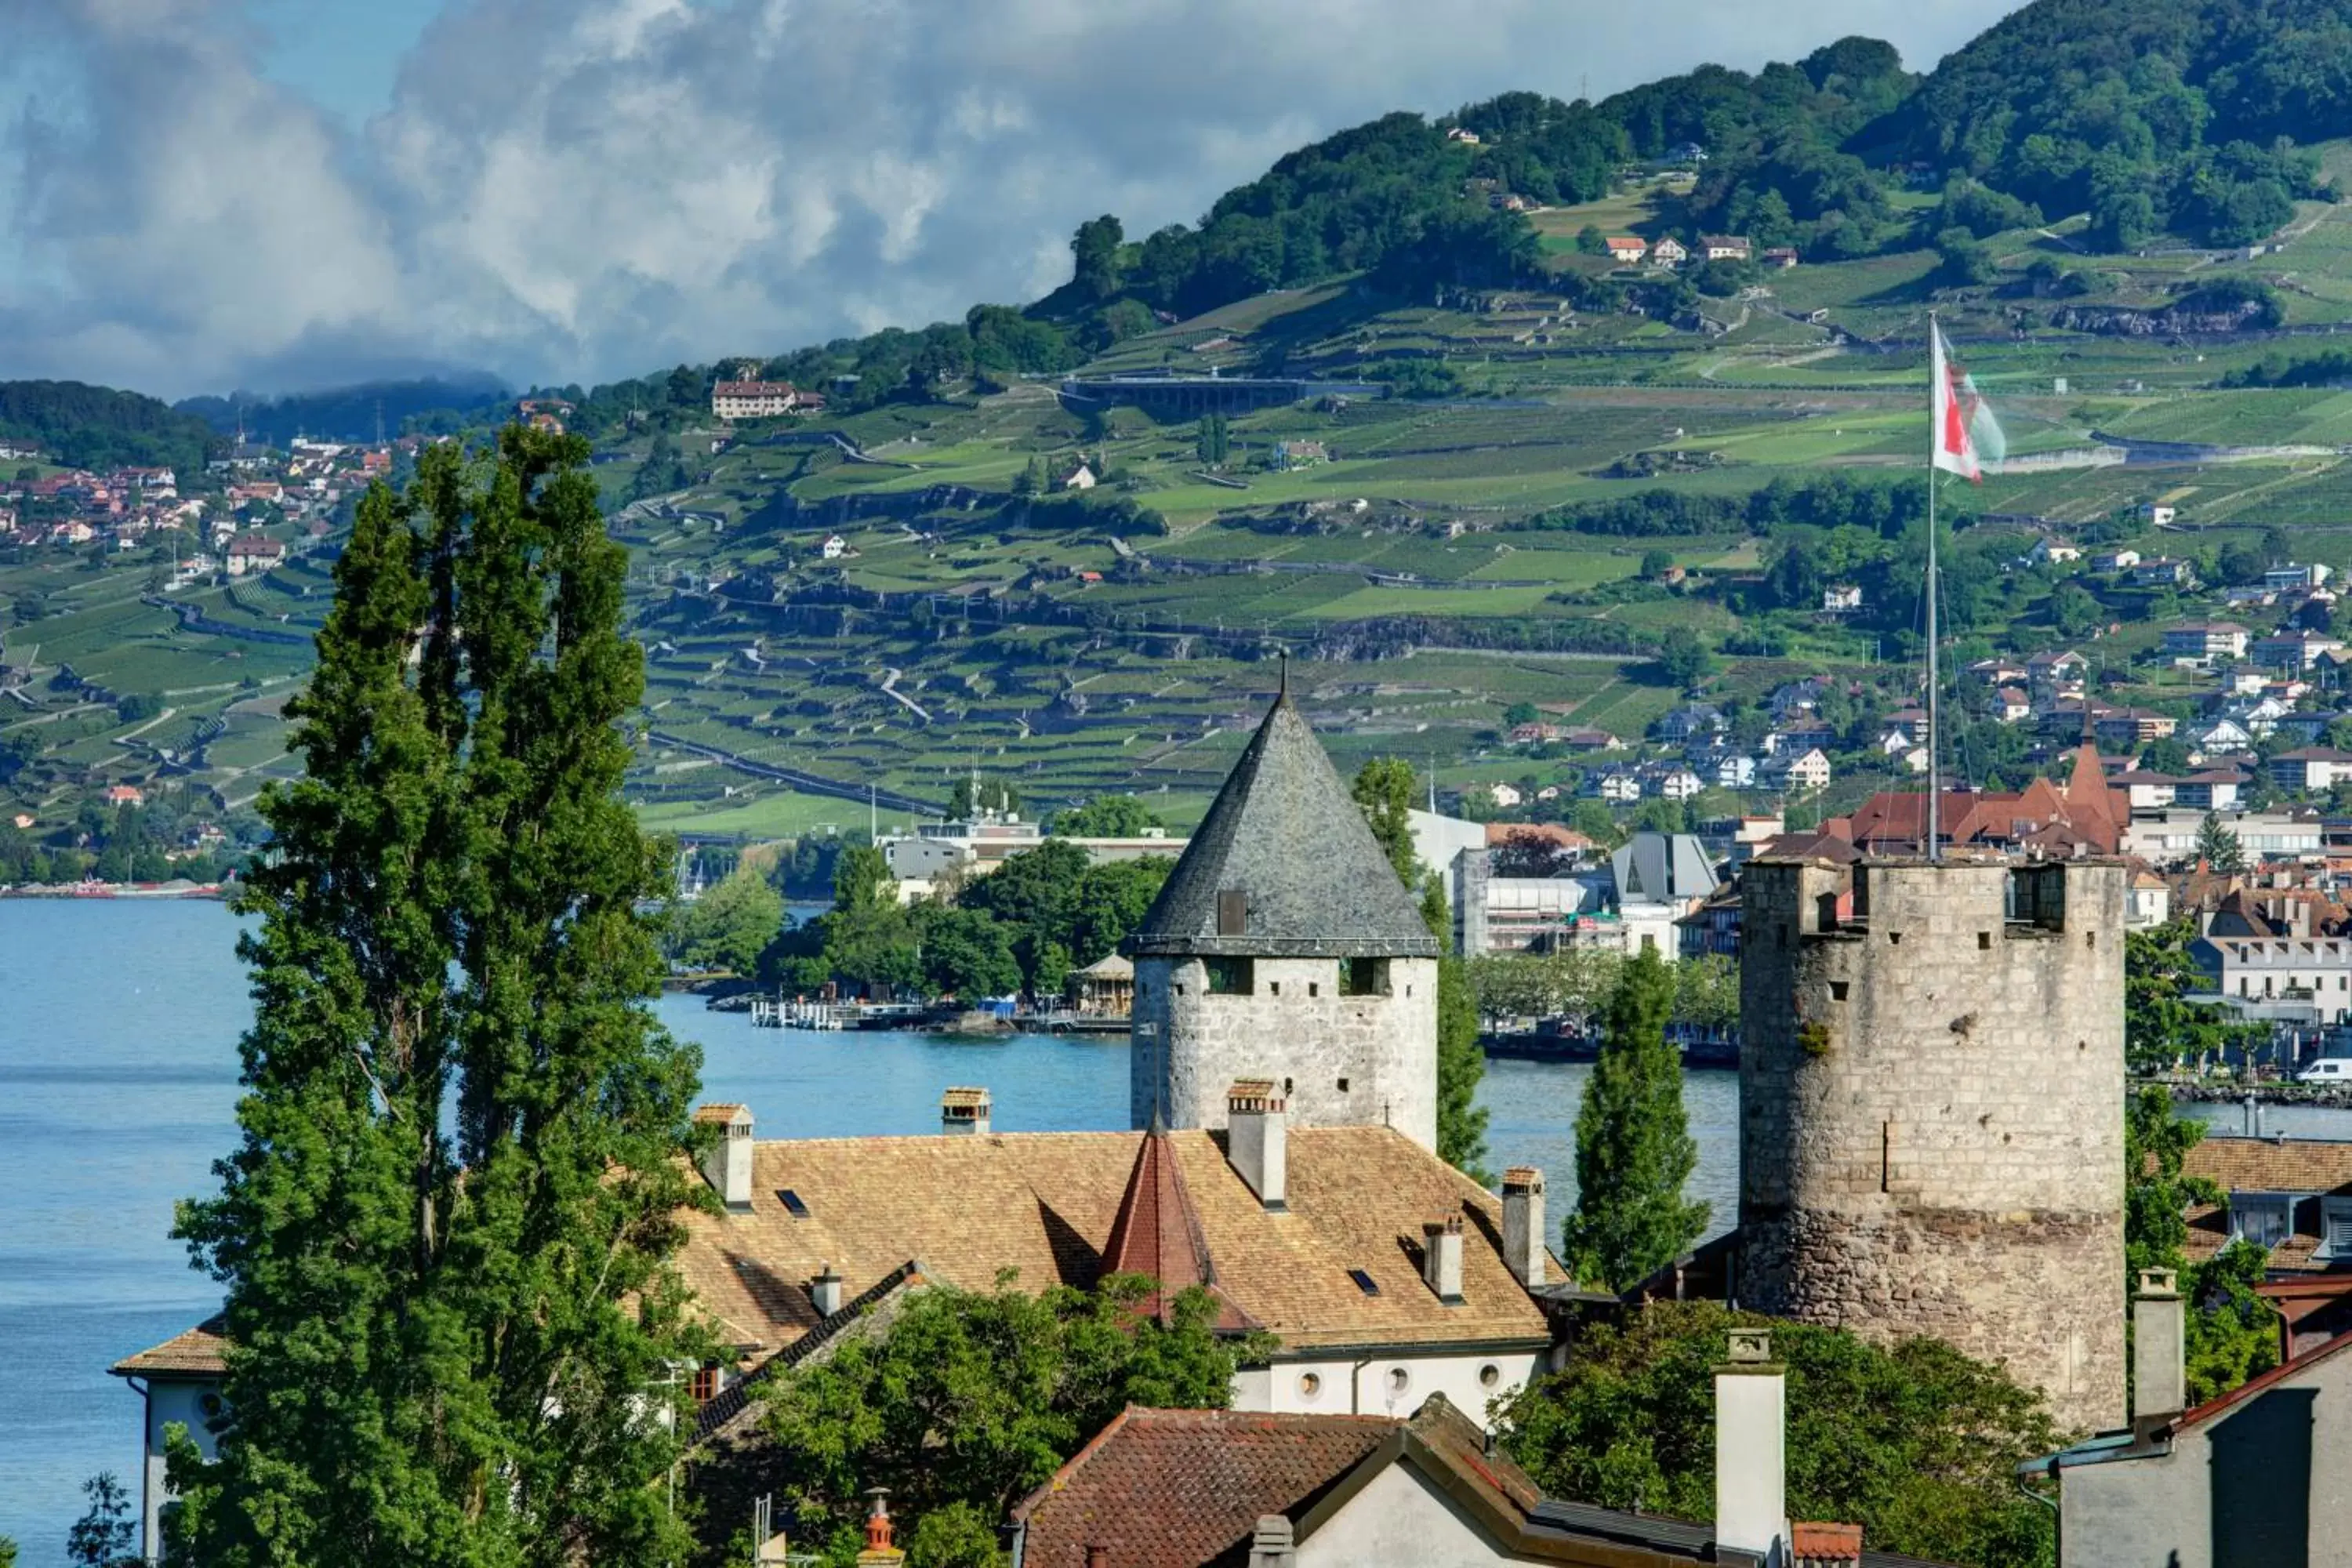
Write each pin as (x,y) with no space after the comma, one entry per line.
(448,1226)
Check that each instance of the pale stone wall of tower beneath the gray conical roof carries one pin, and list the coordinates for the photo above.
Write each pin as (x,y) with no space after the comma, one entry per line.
(1342,1061)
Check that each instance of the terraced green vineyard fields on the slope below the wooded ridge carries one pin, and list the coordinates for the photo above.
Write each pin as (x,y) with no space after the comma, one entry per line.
(1398,570)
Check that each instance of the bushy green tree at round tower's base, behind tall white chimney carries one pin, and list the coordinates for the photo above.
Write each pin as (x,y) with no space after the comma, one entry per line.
(1913,1442)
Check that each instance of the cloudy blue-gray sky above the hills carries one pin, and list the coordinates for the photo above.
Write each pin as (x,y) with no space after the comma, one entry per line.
(293,194)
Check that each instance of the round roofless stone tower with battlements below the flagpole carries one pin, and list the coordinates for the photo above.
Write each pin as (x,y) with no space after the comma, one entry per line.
(1932,1111)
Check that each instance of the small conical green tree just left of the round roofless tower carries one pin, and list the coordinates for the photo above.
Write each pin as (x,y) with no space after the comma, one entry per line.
(1633,1144)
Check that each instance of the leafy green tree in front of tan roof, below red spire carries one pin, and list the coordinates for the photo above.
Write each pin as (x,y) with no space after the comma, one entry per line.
(973,1400)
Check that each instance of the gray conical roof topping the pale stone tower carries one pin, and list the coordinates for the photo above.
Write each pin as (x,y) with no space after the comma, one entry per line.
(1288,836)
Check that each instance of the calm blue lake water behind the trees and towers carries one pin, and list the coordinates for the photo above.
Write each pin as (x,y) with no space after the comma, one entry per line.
(119,1026)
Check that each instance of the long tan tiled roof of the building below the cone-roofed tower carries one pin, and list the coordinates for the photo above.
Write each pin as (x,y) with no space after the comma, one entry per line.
(1045,1207)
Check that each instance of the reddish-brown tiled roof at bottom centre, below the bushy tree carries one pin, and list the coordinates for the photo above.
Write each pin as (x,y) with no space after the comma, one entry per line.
(1182,1489)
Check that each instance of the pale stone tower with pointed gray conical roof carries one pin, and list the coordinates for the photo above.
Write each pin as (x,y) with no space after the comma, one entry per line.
(1285,949)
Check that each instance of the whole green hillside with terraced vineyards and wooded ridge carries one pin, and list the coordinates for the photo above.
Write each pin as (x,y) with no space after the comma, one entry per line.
(1570,488)
